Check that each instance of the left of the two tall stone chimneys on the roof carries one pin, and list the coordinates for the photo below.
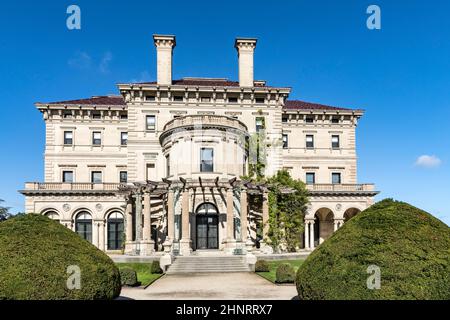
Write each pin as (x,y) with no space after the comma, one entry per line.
(164,48)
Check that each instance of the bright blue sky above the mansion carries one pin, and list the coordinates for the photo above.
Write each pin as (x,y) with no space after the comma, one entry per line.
(400,74)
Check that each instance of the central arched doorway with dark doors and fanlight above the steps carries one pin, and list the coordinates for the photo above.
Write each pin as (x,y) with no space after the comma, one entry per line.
(207,226)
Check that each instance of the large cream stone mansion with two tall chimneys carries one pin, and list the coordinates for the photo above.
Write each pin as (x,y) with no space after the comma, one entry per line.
(158,168)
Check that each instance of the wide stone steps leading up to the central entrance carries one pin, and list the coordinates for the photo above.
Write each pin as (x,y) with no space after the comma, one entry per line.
(208,264)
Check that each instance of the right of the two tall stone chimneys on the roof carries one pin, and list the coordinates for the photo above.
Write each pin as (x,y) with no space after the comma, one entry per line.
(245,48)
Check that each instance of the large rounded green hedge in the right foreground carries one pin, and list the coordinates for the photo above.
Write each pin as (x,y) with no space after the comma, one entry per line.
(410,247)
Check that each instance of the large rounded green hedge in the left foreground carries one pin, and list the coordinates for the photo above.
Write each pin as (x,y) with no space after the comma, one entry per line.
(35,254)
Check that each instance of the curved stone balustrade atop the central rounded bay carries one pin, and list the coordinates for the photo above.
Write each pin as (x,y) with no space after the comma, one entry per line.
(205,120)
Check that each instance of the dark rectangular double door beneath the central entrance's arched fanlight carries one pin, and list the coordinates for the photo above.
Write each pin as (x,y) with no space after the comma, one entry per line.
(207,232)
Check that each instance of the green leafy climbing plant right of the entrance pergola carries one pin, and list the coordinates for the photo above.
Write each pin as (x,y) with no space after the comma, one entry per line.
(288,200)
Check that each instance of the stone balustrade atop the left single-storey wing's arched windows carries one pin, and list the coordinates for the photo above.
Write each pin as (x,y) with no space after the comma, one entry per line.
(55,186)
